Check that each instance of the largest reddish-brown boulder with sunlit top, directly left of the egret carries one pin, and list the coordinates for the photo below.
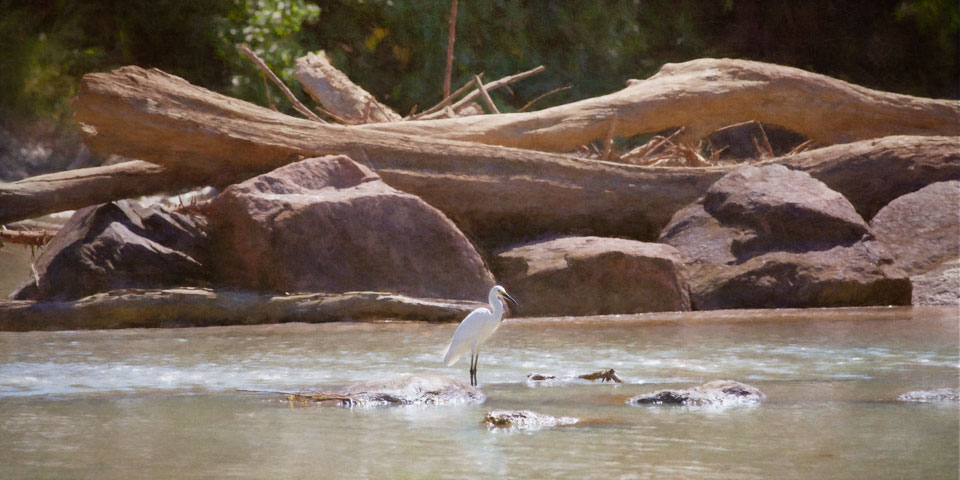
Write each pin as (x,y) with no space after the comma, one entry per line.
(331,225)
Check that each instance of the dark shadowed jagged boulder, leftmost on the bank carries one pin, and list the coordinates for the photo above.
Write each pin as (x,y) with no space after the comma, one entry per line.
(120,245)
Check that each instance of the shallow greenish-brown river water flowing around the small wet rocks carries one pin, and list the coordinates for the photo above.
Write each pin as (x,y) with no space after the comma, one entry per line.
(163,403)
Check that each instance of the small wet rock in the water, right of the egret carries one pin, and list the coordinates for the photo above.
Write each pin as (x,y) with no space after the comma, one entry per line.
(717,393)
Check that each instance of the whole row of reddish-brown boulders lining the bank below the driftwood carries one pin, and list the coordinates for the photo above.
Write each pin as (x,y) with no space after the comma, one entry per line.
(760,237)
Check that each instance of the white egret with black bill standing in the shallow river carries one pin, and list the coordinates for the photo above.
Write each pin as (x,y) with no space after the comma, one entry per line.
(475,329)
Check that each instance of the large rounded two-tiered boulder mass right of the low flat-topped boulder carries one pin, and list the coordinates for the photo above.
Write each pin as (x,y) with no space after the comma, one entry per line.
(767,237)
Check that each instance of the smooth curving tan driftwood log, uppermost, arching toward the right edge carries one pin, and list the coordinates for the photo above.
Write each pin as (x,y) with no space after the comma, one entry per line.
(704,95)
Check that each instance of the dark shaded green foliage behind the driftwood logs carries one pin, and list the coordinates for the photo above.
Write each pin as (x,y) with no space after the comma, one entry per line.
(396,49)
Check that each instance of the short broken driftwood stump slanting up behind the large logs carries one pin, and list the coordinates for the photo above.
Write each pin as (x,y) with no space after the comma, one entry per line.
(338,94)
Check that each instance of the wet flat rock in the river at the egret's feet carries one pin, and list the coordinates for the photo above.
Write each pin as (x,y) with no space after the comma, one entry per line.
(410,389)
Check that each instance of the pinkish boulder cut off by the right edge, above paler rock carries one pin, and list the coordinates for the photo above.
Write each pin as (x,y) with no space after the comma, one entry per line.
(921,229)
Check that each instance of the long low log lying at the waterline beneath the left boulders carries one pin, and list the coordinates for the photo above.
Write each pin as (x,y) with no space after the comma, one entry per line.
(196,307)
